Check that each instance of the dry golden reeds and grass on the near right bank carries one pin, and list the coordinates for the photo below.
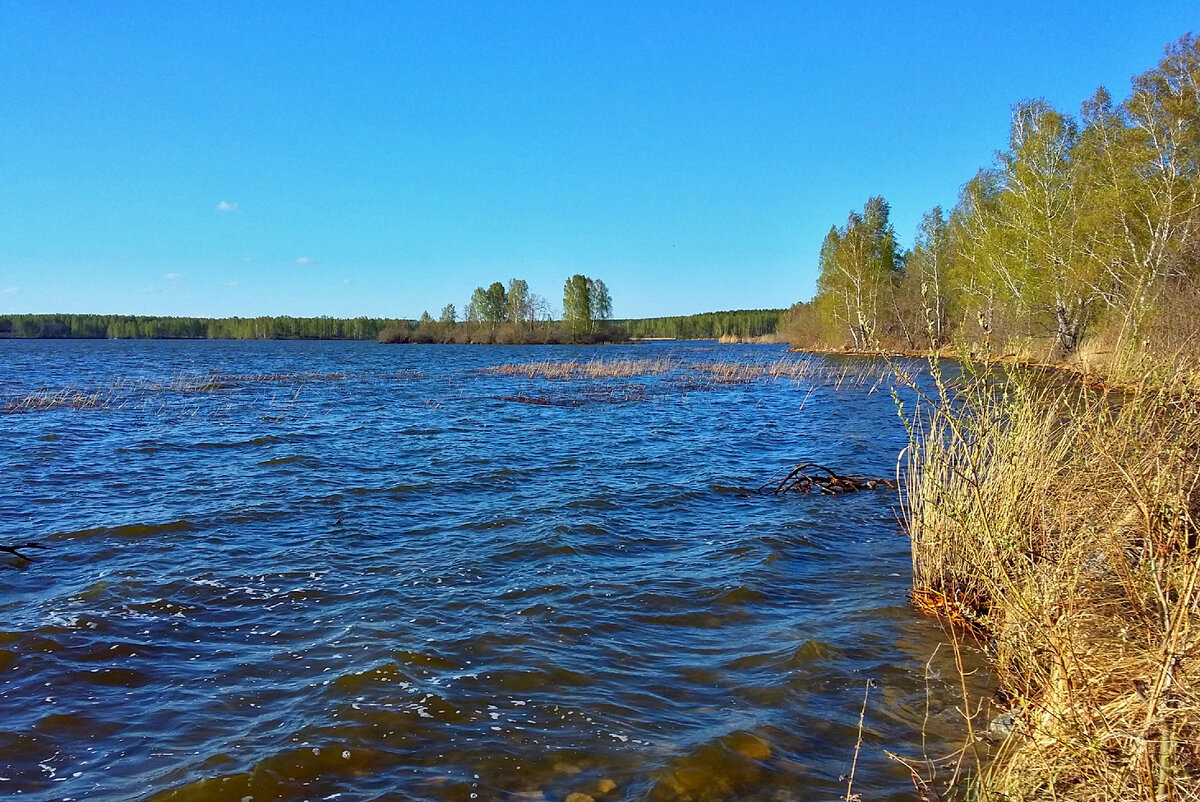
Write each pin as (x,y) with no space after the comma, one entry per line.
(1059,525)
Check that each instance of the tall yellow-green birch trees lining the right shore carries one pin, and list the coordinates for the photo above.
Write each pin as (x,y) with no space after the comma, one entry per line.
(1082,226)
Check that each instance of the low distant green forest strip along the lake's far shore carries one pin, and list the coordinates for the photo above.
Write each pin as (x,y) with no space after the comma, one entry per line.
(710,326)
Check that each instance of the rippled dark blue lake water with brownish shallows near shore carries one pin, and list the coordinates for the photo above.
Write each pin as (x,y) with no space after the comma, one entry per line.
(347,571)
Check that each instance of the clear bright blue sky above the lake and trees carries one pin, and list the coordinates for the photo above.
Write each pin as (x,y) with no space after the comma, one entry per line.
(382,159)
